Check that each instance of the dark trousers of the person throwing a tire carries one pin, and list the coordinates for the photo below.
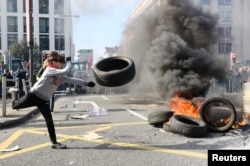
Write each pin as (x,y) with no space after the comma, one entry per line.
(30,100)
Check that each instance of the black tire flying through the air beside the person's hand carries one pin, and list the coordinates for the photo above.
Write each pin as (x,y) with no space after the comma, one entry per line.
(114,71)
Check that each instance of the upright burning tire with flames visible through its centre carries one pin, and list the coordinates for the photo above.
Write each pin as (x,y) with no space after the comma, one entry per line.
(218,113)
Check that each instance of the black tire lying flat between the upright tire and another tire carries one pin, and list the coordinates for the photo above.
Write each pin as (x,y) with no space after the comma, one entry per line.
(188,126)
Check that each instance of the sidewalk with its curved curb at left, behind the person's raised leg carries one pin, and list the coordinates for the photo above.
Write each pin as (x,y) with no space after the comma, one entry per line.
(15,117)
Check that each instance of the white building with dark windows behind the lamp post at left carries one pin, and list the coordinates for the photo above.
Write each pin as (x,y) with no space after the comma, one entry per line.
(52,24)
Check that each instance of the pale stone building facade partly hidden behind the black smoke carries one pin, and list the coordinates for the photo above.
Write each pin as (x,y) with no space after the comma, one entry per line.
(233,25)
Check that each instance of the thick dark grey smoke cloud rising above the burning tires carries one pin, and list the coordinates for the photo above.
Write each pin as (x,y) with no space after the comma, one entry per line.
(172,49)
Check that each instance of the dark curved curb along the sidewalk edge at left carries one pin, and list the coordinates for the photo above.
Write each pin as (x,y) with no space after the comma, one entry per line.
(18,121)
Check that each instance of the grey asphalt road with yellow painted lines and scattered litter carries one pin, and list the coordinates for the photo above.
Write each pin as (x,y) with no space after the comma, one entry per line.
(123,137)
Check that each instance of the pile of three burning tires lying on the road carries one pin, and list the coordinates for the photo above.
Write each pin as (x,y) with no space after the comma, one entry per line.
(216,115)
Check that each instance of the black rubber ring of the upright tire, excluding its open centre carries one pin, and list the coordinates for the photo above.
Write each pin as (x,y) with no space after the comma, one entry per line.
(216,101)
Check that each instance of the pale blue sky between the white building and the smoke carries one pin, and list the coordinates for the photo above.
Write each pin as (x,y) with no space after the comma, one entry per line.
(100,23)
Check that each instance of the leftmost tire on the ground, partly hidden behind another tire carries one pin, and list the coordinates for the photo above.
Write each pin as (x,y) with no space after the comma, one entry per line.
(159,117)
